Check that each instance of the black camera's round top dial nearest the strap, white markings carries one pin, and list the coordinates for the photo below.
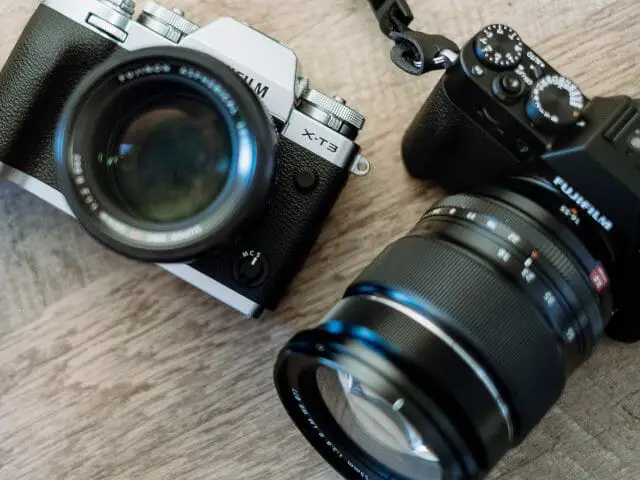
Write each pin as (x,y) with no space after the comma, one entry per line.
(499,47)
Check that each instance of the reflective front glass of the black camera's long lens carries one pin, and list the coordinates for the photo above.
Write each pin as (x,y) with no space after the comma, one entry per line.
(376,425)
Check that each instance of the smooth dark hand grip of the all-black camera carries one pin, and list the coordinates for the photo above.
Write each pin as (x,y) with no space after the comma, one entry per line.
(446,145)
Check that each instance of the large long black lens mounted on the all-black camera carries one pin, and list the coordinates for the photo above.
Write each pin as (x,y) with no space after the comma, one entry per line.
(454,343)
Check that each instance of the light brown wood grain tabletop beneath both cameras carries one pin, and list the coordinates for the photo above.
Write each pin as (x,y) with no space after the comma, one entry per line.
(112,369)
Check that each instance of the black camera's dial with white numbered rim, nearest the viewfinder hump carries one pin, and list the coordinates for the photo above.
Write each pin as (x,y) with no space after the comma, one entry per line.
(555,102)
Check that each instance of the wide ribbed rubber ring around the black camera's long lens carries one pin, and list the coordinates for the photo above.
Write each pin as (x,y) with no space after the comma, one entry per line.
(491,317)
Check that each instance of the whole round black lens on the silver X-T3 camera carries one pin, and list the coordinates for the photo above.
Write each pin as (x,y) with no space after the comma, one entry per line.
(164,154)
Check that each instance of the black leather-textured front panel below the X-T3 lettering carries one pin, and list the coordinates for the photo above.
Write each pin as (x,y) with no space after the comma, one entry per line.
(288,228)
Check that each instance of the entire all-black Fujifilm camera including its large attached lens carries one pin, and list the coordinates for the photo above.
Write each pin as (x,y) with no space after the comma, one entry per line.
(454,343)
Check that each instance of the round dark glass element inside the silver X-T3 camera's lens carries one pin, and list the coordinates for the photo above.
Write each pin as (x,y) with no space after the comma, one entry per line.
(169,162)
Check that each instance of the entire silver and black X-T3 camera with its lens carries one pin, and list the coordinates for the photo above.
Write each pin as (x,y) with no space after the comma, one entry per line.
(201,149)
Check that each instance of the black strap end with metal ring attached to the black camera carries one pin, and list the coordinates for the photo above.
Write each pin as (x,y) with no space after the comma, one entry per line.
(414,52)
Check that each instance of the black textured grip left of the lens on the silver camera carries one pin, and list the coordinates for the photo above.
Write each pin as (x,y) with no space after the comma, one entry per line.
(50,58)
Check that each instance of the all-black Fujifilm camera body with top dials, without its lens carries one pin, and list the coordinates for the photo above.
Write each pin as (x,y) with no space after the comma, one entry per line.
(501,109)
